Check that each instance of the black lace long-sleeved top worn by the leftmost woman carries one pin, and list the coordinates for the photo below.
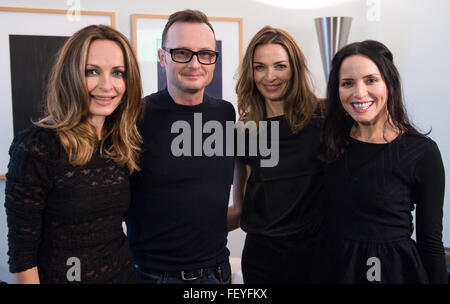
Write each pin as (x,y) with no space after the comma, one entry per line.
(56,211)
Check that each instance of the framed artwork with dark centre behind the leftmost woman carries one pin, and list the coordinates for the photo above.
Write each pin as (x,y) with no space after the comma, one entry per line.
(29,40)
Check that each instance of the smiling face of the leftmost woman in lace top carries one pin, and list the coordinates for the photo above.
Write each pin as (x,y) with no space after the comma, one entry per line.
(105,79)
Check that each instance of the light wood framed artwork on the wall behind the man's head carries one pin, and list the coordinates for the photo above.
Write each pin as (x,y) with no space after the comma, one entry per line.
(147,35)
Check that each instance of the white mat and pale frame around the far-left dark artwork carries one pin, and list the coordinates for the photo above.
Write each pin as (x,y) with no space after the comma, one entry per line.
(32,21)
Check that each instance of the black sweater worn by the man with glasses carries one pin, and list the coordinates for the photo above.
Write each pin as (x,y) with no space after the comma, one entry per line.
(177,219)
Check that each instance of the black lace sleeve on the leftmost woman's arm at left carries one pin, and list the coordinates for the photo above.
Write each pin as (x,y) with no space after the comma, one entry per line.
(27,185)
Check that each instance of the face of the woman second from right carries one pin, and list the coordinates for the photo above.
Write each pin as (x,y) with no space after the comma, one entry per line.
(272,71)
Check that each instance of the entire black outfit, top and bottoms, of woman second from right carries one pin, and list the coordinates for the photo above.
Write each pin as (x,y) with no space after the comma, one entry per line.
(282,208)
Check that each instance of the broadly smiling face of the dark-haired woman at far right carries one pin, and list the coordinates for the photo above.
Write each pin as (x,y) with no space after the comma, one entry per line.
(362,90)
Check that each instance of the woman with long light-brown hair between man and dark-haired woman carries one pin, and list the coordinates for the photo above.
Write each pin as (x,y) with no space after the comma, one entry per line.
(279,207)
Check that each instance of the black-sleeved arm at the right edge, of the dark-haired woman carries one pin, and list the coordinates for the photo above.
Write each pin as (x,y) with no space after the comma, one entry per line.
(429,197)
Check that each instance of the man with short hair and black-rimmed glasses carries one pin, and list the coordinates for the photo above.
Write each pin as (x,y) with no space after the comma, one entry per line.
(177,222)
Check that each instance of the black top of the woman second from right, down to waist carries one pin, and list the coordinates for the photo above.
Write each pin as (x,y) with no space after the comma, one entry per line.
(286,199)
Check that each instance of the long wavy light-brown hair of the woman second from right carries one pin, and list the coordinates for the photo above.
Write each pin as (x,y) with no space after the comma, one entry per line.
(300,102)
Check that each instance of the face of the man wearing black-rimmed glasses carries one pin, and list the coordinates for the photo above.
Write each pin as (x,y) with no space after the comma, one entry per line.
(191,77)
